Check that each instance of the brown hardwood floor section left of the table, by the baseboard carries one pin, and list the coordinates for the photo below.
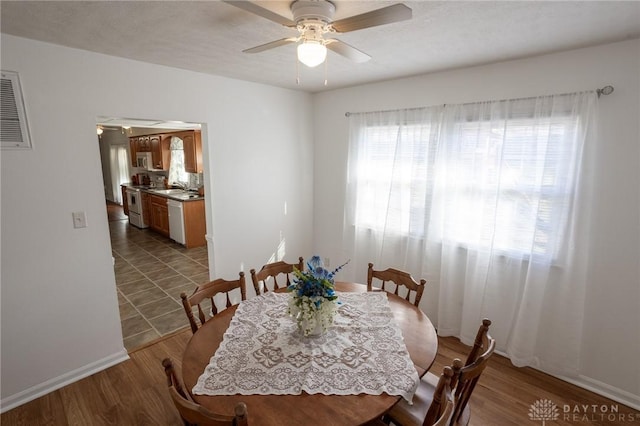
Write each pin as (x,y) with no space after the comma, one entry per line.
(131,393)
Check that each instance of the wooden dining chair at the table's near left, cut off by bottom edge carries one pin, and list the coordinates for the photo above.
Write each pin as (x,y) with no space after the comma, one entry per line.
(192,413)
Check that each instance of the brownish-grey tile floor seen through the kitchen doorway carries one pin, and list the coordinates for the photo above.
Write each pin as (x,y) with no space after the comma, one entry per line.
(151,272)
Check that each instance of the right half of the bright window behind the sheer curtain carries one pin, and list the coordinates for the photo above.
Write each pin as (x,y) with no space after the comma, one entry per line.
(512,184)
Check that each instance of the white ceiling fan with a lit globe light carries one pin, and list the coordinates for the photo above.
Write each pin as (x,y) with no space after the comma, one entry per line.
(313,19)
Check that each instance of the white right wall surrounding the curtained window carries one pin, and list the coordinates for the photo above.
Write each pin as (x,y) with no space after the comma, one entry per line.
(611,347)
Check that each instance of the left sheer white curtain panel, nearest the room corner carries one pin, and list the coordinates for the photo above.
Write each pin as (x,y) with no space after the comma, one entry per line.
(389,186)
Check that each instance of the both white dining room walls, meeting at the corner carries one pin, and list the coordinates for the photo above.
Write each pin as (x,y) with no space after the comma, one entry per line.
(59,314)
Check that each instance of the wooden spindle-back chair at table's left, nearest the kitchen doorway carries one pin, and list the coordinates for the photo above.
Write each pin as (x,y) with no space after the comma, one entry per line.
(208,291)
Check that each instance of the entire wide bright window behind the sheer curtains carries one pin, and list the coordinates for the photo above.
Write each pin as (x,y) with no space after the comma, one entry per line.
(472,176)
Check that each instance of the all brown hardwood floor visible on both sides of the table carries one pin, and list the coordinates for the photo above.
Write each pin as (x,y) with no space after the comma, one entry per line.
(135,393)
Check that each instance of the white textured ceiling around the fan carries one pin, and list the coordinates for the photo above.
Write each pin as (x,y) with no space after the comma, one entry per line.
(209,36)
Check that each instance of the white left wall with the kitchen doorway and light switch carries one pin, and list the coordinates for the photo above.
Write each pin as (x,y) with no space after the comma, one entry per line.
(60,316)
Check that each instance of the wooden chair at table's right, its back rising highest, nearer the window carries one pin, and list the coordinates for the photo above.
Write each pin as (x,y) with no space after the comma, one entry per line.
(465,376)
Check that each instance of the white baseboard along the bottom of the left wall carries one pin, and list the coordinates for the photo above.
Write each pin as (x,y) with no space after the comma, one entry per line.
(58,382)
